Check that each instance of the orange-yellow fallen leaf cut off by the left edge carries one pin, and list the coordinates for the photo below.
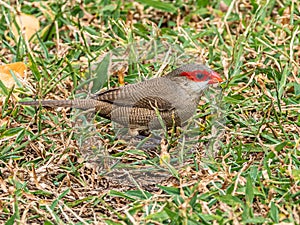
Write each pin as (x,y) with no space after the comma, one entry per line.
(5,76)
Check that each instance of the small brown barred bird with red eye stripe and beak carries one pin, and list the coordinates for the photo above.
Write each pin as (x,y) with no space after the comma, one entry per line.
(141,107)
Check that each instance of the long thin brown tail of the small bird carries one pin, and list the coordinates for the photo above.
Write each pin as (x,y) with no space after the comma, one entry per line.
(76,103)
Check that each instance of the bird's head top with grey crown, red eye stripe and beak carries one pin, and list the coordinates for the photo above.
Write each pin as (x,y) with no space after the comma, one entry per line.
(199,73)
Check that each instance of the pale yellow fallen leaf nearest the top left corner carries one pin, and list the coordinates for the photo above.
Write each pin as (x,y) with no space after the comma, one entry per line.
(28,25)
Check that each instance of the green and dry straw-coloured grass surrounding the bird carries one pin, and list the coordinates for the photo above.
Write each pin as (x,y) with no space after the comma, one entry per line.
(239,165)
